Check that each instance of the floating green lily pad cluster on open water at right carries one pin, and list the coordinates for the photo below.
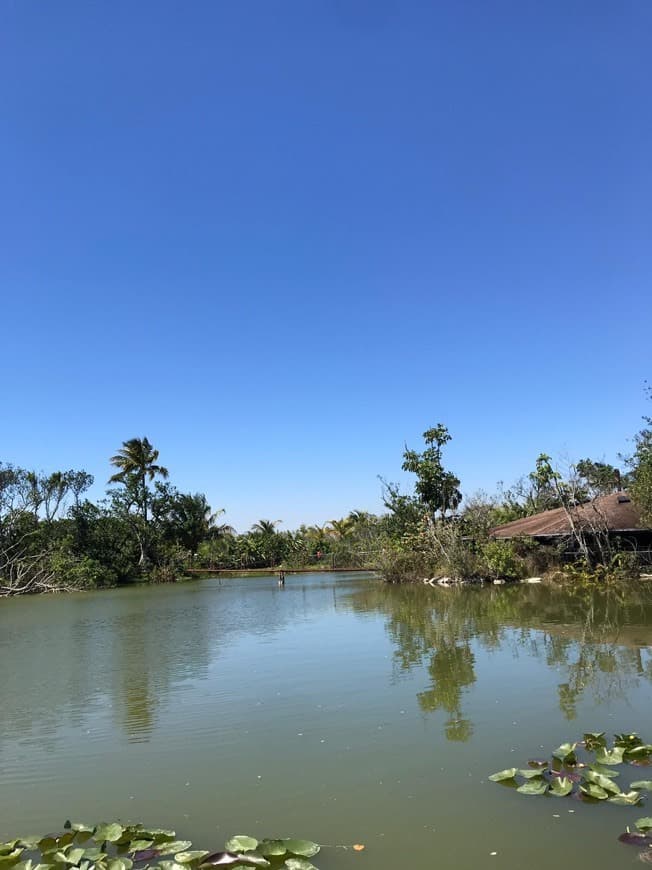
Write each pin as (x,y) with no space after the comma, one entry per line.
(570,772)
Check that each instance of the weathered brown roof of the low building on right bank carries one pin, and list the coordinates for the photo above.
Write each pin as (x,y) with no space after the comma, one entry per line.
(615,512)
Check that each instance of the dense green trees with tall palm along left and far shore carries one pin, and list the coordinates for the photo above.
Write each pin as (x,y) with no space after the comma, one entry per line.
(53,538)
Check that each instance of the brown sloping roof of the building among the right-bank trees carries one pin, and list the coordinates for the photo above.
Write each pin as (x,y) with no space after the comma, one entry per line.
(614,515)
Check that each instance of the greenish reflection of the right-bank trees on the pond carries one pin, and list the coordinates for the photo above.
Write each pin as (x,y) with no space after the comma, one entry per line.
(597,638)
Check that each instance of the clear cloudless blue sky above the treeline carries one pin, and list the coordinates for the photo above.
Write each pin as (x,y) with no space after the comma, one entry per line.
(282,238)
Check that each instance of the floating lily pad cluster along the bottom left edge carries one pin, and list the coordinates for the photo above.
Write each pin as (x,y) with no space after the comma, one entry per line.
(133,847)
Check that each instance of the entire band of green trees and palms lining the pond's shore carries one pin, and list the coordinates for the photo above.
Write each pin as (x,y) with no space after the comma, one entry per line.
(52,537)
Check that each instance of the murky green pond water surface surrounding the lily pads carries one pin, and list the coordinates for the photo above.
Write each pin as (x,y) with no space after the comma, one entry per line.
(337,708)
